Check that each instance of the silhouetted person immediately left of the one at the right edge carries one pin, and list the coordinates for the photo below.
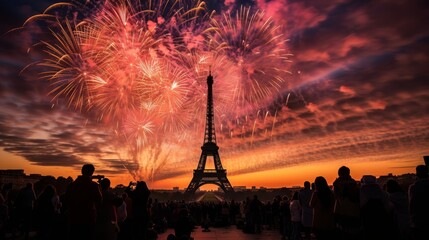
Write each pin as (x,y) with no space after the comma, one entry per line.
(399,199)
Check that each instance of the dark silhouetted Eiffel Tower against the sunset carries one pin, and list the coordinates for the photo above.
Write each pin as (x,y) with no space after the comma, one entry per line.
(202,175)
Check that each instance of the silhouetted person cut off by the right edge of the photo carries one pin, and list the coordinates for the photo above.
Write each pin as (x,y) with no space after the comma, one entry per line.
(419,203)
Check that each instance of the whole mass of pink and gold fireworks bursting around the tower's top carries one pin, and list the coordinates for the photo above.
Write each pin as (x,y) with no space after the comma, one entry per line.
(141,68)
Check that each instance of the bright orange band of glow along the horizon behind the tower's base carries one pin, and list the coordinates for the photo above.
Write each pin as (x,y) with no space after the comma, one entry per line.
(277,178)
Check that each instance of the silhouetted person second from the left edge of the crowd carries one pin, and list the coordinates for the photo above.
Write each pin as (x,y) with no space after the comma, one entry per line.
(25,203)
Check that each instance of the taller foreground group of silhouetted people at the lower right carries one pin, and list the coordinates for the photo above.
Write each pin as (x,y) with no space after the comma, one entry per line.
(354,210)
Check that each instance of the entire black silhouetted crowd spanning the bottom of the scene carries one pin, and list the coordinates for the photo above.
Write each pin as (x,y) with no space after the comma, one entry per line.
(348,209)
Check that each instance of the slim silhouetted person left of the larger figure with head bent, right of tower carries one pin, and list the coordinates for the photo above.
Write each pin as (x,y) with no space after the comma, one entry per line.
(307,211)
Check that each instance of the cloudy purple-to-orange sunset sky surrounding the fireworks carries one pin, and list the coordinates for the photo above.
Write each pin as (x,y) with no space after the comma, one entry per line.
(357,95)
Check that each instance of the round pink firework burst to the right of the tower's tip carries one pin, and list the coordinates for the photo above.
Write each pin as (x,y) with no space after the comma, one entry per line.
(256,46)
